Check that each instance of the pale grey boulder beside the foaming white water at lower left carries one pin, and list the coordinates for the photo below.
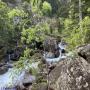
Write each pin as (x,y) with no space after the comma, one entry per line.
(25,80)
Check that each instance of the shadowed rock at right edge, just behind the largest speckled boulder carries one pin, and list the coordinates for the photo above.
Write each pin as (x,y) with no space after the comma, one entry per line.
(84,51)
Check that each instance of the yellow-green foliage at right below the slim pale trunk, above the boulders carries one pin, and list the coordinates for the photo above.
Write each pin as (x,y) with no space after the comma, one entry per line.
(74,36)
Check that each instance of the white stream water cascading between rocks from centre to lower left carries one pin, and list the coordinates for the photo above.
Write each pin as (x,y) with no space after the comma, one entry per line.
(11,78)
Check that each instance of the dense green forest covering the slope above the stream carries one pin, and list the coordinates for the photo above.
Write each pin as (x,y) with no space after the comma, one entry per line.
(28,20)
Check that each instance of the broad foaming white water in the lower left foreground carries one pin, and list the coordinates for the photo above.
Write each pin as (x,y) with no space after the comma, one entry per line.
(12,78)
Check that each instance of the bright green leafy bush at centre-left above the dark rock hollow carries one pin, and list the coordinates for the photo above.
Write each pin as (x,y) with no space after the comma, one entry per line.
(35,33)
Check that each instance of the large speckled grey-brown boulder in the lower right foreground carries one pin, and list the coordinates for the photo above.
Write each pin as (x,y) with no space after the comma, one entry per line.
(70,74)
